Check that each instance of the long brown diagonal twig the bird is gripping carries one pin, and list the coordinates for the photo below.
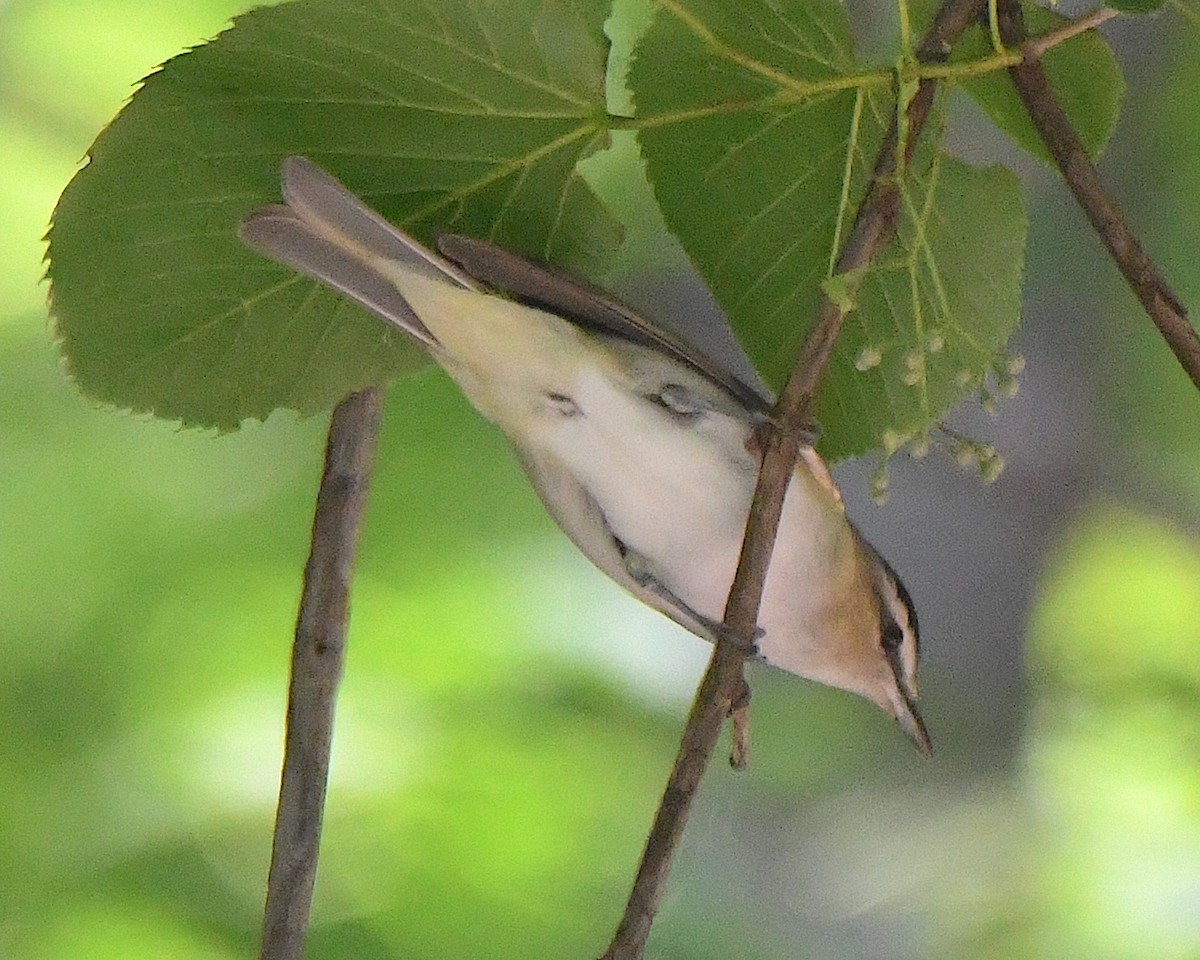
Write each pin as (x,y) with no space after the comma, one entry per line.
(874,229)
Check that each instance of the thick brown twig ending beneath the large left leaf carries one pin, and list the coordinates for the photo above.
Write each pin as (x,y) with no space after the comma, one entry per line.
(317,657)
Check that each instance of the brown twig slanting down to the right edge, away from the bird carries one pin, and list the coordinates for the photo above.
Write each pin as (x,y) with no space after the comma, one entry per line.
(1102,209)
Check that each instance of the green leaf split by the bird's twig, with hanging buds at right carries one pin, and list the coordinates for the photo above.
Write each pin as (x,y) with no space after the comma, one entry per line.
(759,155)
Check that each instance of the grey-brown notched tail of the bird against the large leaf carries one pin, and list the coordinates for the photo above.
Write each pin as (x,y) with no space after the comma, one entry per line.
(325,231)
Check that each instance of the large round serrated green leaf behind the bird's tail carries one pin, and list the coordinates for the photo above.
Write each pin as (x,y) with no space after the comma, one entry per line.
(463,115)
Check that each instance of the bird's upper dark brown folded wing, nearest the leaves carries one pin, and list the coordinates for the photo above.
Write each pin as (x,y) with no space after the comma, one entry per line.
(581,303)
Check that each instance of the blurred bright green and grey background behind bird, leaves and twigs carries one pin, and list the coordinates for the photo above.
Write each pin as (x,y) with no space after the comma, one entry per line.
(509,718)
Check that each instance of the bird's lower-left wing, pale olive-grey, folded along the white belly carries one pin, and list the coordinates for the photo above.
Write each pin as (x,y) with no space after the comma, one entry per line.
(583,520)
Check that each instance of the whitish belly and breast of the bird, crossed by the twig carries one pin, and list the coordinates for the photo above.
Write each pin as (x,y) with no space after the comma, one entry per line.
(679,496)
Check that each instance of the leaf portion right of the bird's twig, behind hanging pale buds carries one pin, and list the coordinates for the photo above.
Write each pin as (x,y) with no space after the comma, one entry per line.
(937,313)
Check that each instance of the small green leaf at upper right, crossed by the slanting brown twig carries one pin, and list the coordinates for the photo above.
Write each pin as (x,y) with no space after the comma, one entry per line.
(1083,71)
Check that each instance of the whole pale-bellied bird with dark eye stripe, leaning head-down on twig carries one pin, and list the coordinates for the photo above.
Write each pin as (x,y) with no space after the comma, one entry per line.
(641,448)
